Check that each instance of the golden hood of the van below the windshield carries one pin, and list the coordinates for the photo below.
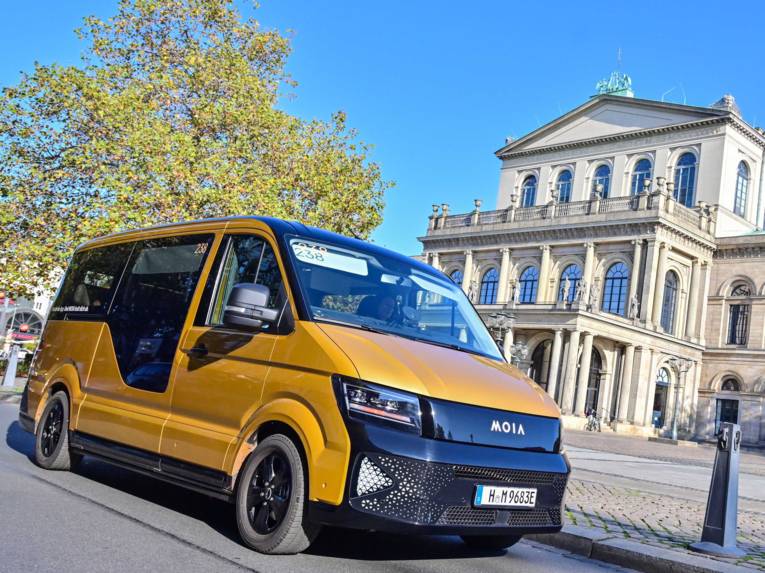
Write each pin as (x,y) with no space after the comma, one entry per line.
(439,372)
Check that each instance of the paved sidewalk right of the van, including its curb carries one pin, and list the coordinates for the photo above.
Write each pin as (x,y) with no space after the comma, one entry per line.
(639,504)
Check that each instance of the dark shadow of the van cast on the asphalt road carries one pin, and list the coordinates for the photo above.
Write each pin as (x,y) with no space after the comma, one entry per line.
(219,515)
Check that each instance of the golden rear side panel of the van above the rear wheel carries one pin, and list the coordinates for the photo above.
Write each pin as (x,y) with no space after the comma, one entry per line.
(66,355)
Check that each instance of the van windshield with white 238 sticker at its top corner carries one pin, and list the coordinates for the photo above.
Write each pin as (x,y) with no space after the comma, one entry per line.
(368,290)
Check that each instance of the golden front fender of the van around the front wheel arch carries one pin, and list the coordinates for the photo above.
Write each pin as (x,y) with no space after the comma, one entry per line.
(298,392)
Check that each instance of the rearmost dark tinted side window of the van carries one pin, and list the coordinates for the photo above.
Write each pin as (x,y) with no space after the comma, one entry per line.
(89,284)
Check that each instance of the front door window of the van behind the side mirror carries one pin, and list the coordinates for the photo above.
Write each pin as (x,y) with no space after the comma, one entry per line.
(245,259)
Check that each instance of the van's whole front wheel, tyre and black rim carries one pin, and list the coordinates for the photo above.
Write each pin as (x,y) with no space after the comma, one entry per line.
(271,498)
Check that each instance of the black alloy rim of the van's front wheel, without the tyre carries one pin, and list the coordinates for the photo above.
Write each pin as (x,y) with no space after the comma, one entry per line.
(270,492)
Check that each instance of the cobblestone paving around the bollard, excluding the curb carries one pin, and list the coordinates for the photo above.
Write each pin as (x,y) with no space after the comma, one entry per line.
(656,510)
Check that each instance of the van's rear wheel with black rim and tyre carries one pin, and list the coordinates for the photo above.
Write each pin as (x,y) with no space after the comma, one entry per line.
(52,435)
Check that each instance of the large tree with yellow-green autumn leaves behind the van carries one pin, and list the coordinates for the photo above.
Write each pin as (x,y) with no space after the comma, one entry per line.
(172,115)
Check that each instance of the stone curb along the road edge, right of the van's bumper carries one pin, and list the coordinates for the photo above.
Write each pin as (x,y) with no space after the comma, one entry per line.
(595,544)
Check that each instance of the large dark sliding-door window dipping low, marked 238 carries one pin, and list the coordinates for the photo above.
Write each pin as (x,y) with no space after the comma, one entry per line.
(151,304)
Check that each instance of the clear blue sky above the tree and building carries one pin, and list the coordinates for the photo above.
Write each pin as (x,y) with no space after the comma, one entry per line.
(437,86)
